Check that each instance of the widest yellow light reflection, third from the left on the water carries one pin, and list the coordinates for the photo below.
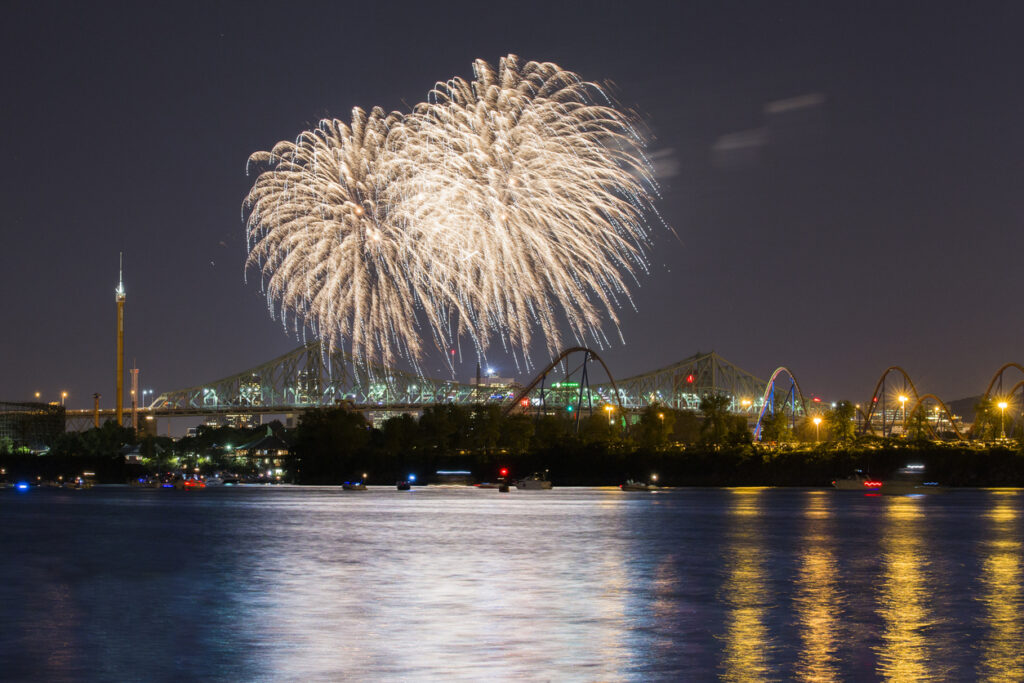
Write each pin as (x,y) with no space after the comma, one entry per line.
(904,595)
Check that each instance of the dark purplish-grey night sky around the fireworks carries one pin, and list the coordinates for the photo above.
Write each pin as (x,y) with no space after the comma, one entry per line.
(844,179)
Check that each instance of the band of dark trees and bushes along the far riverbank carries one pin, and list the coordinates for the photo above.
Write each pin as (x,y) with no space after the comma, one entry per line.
(712,447)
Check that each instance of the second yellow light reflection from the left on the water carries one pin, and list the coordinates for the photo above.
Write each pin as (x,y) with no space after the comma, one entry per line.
(817,597)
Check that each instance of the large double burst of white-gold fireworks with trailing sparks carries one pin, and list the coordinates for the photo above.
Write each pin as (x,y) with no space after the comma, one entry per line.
(505,204)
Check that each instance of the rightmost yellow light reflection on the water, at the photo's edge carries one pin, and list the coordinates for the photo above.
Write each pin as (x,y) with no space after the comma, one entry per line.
(1001,658)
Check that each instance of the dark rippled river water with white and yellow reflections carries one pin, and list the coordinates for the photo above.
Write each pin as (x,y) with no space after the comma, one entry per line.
(460,584)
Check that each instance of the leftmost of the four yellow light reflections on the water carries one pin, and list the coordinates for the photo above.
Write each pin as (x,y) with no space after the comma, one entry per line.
(746,594)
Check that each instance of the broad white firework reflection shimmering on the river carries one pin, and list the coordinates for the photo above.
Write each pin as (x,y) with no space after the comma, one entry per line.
(411,591)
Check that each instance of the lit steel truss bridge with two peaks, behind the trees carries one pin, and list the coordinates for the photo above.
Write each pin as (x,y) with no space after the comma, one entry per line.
(308,377)
